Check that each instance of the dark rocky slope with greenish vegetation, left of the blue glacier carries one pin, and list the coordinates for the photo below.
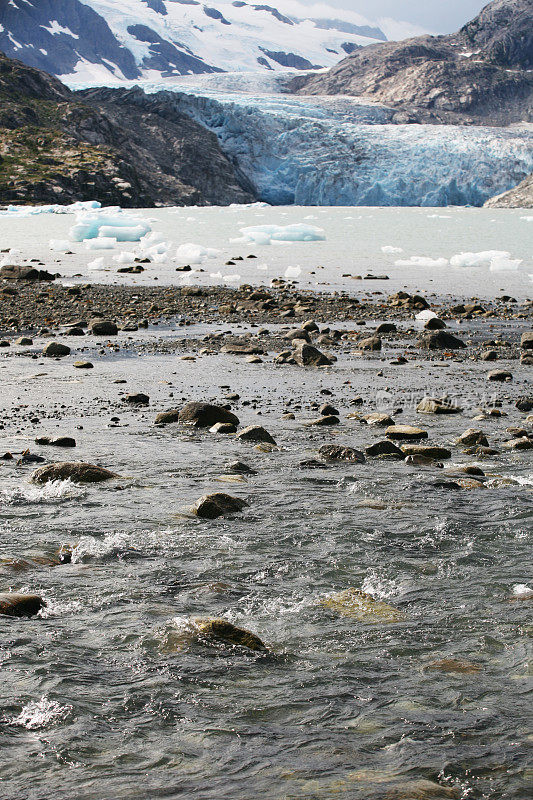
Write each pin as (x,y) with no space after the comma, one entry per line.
(56,147)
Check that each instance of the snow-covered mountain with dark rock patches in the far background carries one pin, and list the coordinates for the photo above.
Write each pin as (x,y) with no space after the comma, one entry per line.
(114,40)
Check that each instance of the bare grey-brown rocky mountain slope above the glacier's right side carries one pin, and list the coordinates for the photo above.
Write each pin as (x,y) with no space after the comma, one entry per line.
(482,74)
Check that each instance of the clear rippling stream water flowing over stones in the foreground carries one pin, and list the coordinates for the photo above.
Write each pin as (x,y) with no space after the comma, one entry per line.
(95,702)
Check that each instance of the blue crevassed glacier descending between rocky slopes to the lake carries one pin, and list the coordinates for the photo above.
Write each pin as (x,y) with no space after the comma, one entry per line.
(340,151)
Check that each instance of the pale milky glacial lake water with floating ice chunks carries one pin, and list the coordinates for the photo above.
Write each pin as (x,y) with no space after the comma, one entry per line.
(354,238)
